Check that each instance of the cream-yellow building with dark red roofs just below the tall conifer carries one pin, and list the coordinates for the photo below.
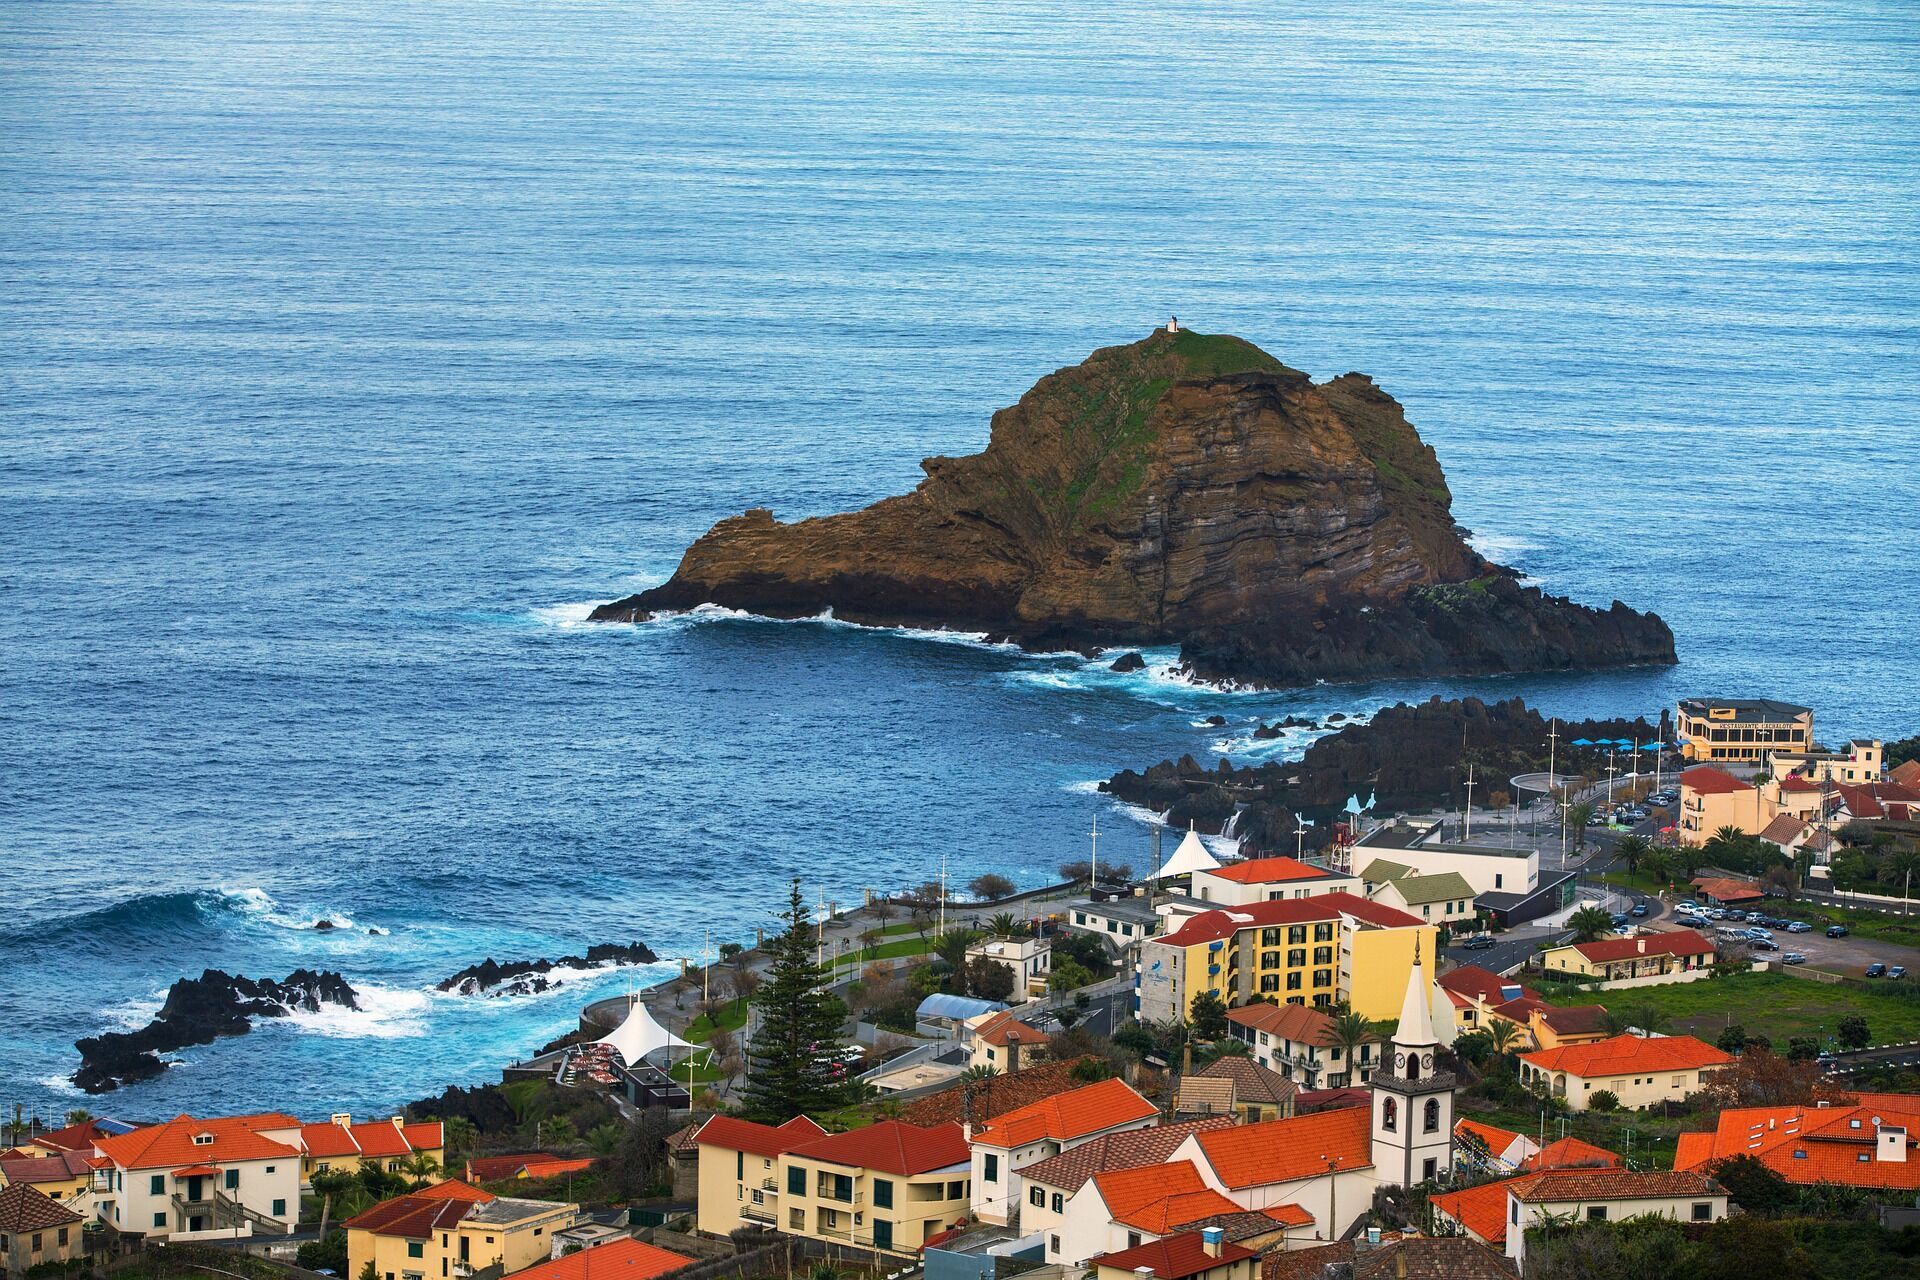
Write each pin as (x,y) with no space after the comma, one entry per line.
(886,1187)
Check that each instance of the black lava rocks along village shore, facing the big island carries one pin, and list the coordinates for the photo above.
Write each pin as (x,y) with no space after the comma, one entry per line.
(1406,759)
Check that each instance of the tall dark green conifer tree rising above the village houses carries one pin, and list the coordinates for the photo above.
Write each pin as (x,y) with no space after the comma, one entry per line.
(800,1026)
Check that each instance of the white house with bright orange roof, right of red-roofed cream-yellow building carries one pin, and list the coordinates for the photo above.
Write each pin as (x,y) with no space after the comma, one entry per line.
(1011,1143)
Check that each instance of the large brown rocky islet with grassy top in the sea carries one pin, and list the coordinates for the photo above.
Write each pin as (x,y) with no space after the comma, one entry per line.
(1178,488)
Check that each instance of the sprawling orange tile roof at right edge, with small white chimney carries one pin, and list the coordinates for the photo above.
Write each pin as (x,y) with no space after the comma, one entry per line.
(1813,1145)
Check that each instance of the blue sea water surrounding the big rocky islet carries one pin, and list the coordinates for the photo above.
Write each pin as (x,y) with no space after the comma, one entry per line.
(352,350)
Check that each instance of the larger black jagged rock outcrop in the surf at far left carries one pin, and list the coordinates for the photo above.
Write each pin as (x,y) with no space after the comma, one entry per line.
(199,1012)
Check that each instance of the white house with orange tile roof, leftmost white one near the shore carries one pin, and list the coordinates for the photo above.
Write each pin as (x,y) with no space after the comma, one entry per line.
(204,1179)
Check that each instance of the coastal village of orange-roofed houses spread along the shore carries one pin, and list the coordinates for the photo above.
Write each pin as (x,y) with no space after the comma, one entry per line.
(1656,1024)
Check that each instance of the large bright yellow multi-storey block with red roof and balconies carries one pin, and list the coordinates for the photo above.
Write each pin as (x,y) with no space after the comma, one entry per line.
(1322,951)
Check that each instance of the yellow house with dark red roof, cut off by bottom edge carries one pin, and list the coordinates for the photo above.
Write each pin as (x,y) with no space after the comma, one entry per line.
(454,1231)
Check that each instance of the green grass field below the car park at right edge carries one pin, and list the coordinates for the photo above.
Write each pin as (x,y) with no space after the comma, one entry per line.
(1773,1005)
